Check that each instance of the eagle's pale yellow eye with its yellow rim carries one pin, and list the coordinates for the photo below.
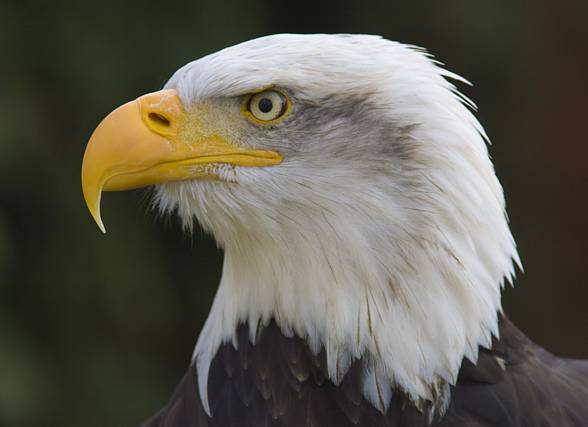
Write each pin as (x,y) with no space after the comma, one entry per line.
(267,107)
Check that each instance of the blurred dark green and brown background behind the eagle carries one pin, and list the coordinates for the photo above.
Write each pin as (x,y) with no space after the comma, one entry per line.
(96,330)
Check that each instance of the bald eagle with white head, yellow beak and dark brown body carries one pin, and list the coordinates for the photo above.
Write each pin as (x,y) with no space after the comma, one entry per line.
(365,239)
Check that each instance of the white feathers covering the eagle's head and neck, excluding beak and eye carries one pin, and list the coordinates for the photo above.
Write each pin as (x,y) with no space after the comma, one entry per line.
(383,233)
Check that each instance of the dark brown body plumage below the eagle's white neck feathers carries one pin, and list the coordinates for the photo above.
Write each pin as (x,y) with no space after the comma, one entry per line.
(278,382)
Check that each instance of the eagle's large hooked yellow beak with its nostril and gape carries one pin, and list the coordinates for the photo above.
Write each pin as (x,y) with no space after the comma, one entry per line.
(152,140)
